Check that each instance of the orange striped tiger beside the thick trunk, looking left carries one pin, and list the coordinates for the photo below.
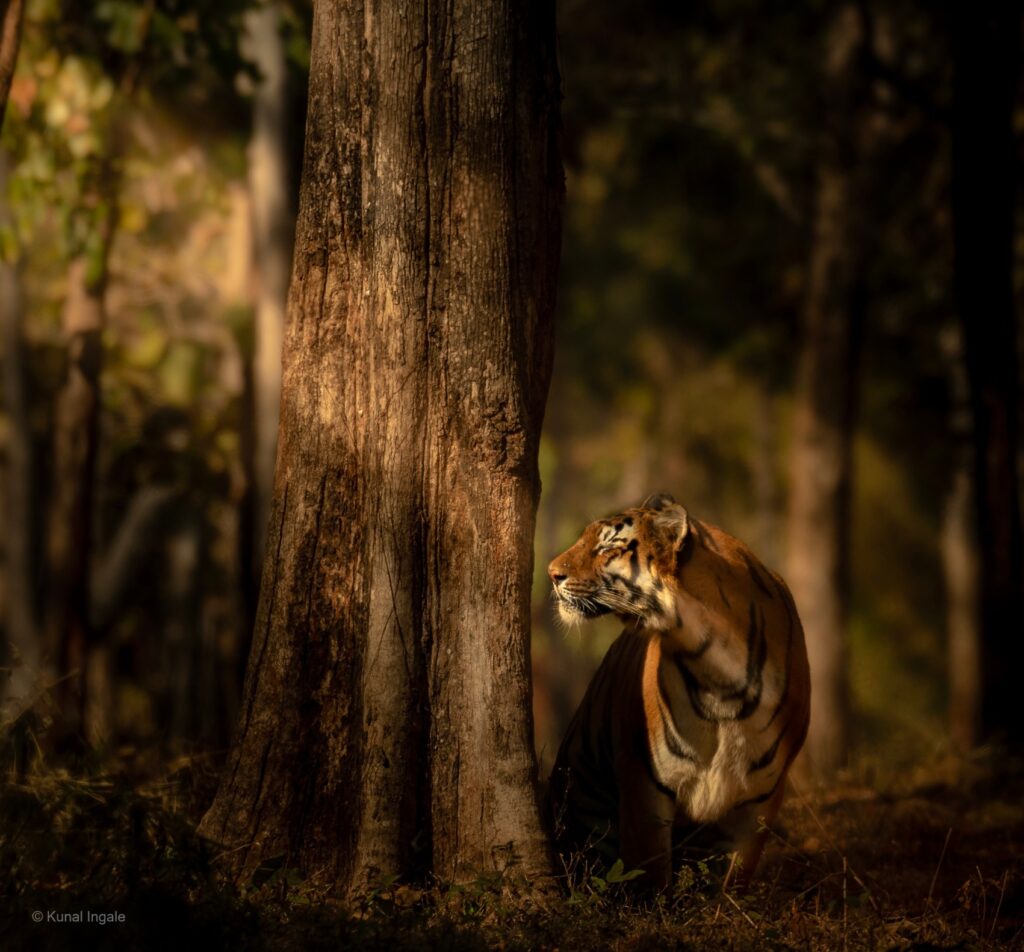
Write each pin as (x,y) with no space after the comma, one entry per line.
(687,733)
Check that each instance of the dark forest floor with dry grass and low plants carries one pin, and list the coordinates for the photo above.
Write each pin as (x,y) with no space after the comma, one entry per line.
(927,859)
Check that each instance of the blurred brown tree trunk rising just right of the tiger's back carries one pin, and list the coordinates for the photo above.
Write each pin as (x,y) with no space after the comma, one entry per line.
(826,402)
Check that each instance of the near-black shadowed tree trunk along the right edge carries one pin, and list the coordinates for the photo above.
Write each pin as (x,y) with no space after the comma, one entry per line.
(986,82)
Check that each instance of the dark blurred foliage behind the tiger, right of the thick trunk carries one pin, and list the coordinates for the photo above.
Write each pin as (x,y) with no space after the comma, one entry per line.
(691,141)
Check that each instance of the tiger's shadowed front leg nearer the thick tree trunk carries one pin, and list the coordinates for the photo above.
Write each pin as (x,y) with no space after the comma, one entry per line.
(646,818)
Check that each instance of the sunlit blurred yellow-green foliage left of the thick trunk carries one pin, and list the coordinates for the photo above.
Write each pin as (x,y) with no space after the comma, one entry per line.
(143,108)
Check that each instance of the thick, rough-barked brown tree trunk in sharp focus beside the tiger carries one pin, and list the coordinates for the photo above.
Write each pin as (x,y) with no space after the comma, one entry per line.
(387,722)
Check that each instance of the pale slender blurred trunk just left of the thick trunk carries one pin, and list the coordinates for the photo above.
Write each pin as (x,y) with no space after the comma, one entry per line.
(273,234)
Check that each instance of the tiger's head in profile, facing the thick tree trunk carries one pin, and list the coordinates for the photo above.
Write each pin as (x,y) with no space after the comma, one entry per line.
(626,566)
